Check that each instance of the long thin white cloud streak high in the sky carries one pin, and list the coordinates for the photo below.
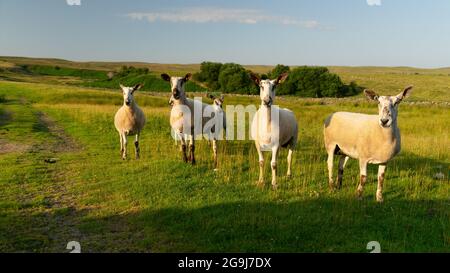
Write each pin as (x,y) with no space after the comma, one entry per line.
(216,15)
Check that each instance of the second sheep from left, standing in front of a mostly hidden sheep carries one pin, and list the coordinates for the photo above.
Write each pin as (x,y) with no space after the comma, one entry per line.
(183,125)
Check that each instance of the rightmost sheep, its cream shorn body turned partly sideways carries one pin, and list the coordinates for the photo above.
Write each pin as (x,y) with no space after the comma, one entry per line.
(372,139)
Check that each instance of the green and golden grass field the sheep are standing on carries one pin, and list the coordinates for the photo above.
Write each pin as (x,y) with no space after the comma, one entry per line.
(62,178)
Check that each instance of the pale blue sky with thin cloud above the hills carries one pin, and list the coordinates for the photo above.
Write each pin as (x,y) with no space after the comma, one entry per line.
(294,32)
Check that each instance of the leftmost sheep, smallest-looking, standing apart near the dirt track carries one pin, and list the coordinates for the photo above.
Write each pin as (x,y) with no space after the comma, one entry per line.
(129,120)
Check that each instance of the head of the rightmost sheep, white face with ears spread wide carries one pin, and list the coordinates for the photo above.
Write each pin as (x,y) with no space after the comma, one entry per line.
(388,105)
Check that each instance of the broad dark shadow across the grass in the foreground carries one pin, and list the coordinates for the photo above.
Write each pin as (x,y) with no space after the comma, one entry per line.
(319,225)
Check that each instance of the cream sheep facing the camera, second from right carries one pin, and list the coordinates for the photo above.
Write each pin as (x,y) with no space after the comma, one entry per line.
(273,128)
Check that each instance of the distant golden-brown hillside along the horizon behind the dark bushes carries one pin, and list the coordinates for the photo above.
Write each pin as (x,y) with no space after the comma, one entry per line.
(429,84)
